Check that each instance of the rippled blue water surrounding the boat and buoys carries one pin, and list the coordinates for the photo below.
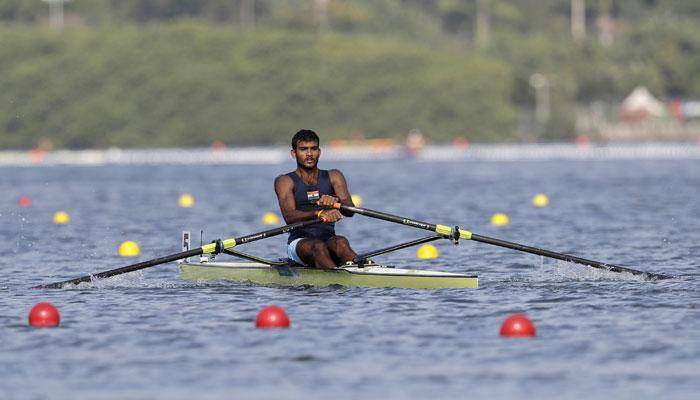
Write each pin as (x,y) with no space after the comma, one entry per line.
(151,335)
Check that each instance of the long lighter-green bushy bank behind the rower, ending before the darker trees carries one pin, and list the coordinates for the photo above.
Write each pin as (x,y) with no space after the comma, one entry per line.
(188,83)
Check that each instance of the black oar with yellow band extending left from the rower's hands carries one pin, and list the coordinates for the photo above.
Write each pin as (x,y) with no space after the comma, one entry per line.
(217,246)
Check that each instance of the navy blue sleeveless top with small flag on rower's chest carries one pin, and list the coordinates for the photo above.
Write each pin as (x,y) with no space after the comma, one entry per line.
(306,197)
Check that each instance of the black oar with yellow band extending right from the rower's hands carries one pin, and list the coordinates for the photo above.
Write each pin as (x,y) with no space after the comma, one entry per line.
(457,233)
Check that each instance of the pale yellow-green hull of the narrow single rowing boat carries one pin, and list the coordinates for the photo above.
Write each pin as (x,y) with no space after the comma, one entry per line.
(374,276)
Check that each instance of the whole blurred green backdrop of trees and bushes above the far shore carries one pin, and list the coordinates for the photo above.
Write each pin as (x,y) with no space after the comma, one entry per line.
(185,72)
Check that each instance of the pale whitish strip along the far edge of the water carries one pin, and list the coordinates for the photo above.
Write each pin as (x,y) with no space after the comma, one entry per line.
(280,154)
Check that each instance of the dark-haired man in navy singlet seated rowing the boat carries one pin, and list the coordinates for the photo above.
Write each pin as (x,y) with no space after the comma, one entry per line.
(308,193)
